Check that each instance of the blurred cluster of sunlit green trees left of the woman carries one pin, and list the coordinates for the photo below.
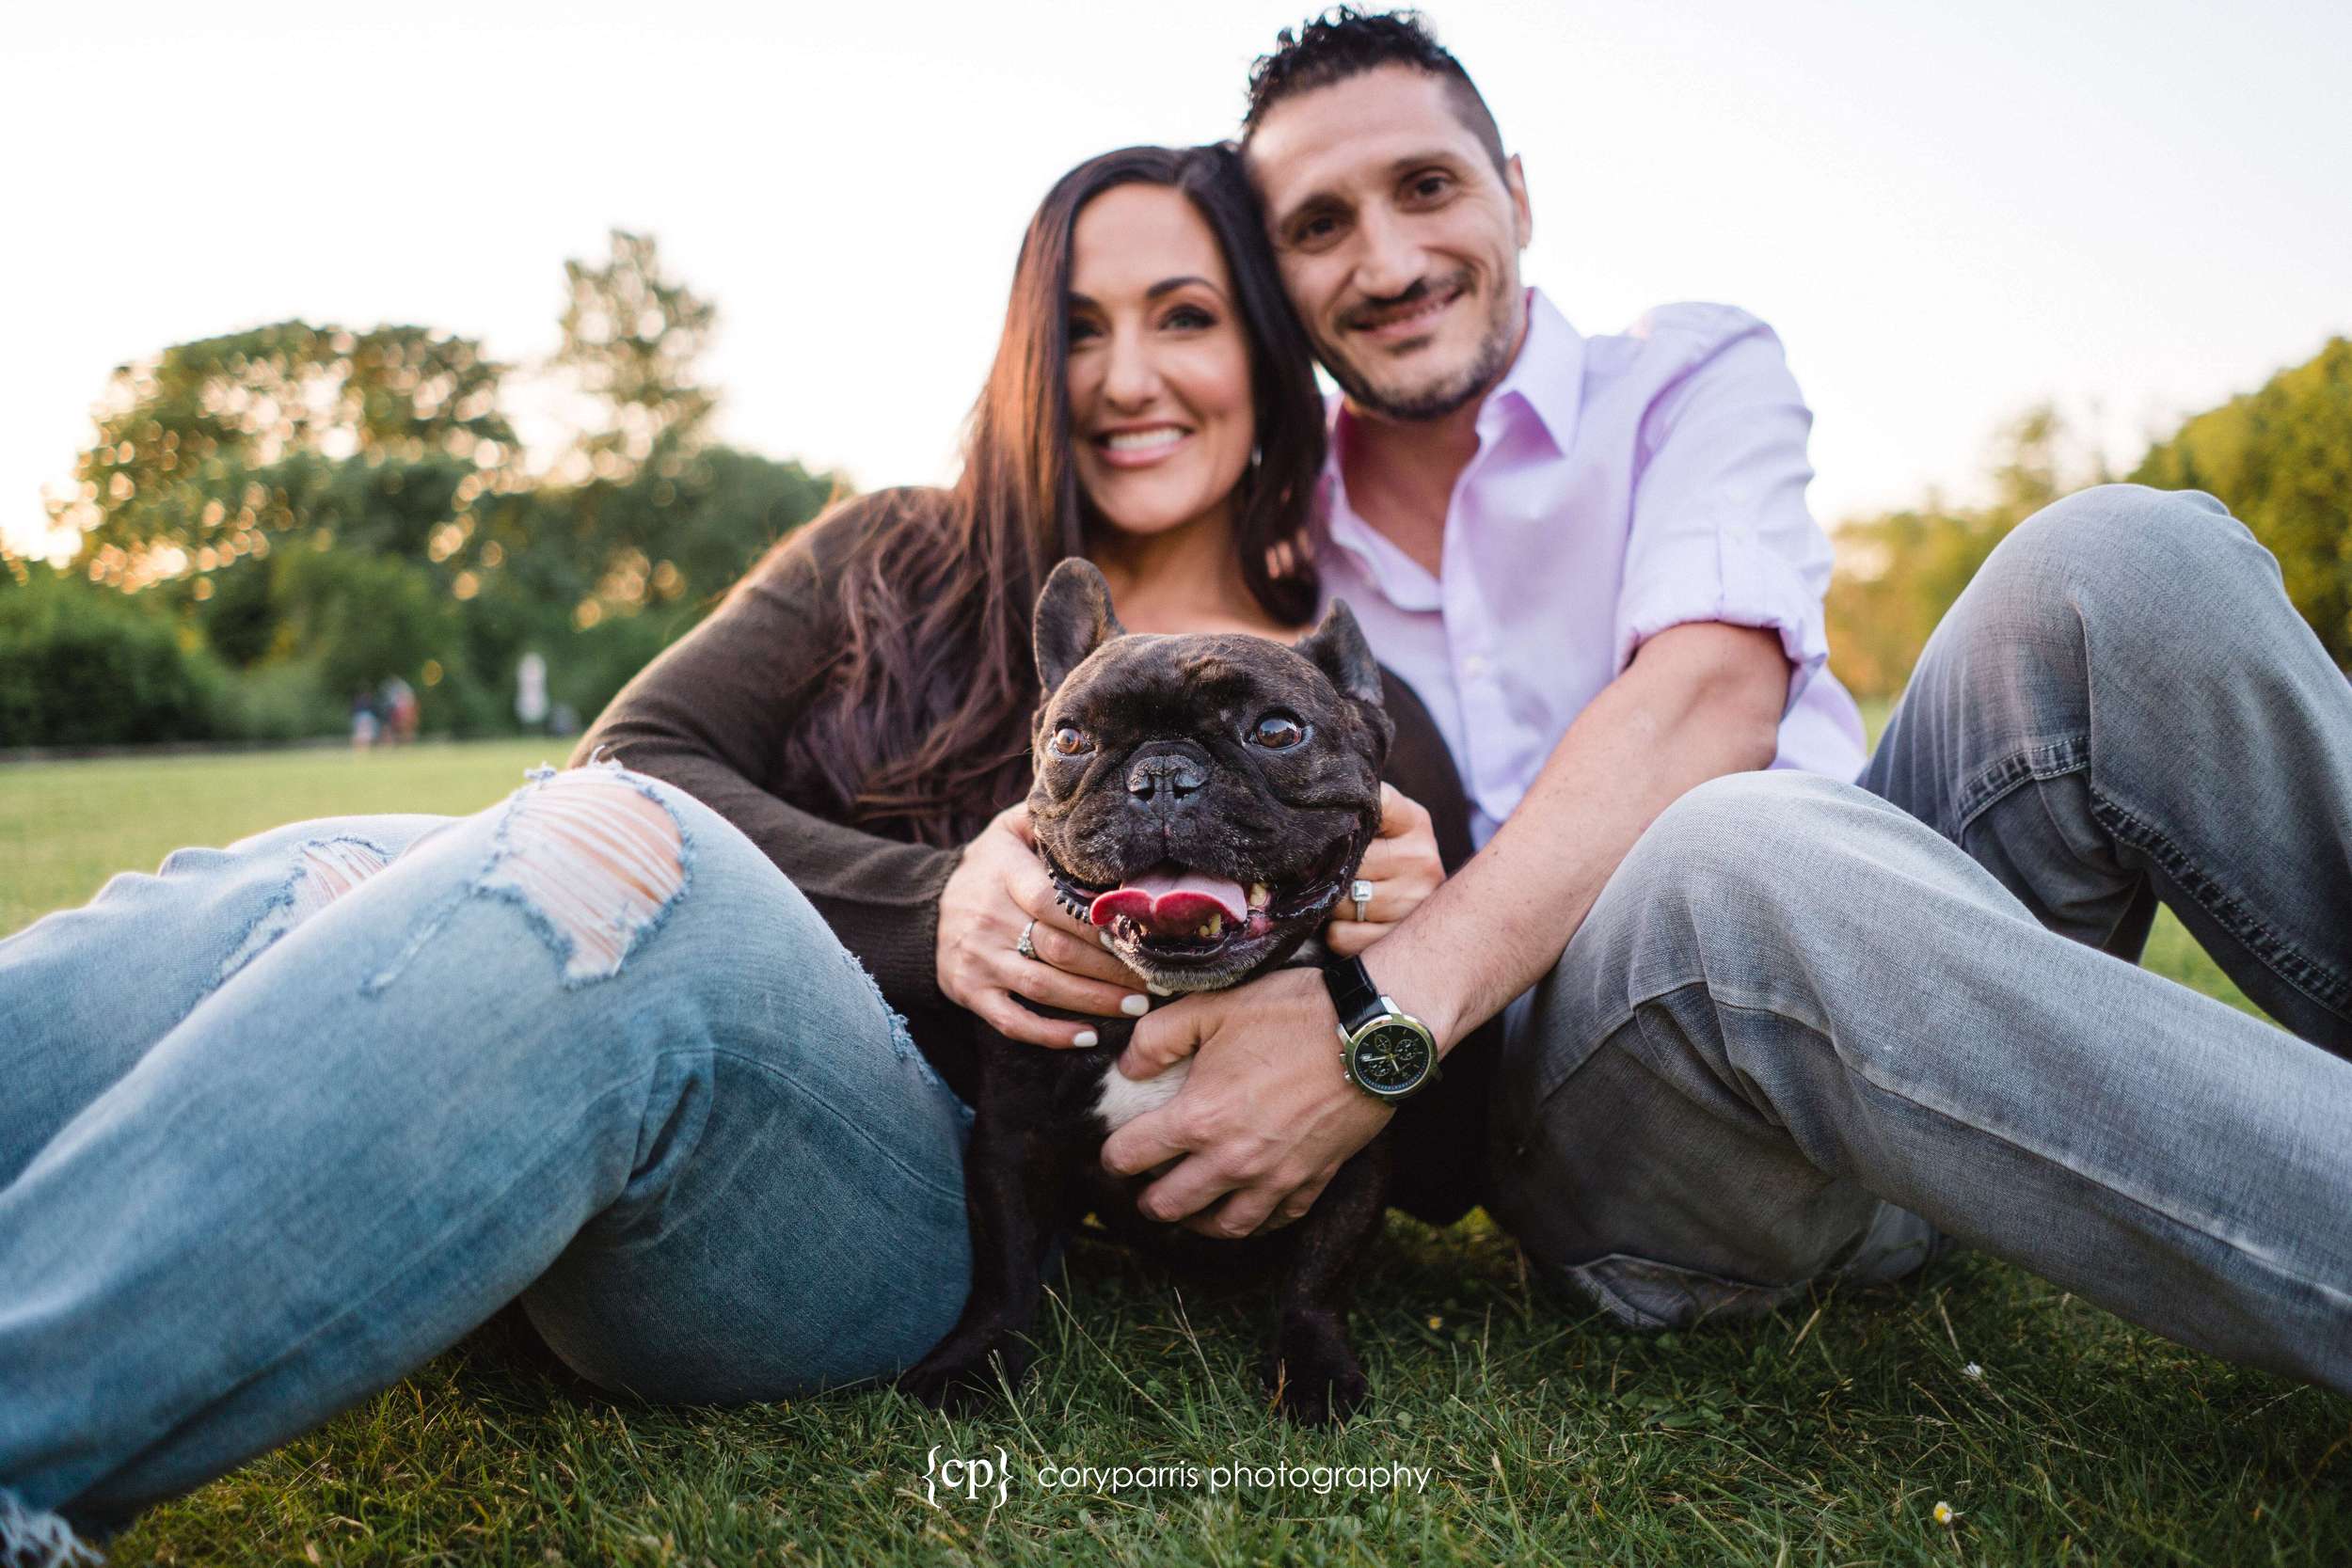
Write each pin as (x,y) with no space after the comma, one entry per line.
(298,514)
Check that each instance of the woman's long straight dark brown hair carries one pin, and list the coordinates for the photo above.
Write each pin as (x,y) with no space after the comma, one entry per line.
(923,728)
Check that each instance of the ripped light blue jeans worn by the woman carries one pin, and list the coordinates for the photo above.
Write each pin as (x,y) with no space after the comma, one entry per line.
(290,1118)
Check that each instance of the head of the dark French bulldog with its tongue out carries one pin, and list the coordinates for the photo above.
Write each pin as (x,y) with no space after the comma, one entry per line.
(1208,798)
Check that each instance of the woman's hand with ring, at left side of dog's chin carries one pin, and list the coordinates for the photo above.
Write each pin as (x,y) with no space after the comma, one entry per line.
(991,897)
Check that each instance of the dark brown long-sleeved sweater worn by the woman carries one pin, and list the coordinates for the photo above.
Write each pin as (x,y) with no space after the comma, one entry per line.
(711,716)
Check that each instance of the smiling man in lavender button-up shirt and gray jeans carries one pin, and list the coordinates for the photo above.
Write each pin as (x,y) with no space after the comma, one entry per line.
(1770,1028)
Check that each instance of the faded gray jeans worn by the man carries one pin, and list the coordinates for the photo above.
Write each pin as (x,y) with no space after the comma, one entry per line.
(1817,1031)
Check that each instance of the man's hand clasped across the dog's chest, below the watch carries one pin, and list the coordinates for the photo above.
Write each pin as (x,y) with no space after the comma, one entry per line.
(1264,1123)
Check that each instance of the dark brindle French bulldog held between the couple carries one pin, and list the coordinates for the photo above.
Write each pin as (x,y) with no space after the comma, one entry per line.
(1201,800)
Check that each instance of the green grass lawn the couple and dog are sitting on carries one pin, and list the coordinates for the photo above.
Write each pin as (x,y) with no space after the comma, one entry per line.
(1824,1435)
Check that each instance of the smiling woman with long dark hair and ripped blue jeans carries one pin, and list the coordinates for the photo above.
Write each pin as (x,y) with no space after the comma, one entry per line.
(293,1118)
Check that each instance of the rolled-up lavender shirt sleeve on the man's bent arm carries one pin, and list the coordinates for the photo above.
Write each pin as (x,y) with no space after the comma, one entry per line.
(1720,528)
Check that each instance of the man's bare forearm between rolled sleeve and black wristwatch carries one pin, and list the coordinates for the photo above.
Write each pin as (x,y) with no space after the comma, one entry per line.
(1699,702)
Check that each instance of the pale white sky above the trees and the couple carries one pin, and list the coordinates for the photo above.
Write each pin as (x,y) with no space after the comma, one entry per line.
(1946,210)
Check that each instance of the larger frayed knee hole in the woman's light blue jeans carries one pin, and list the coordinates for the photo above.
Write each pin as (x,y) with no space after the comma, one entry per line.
(592,857)
